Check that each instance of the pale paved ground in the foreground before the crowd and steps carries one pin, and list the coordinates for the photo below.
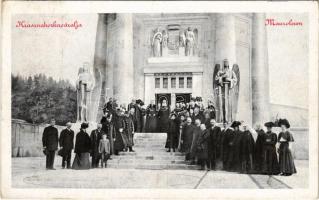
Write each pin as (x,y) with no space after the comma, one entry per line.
(30,173)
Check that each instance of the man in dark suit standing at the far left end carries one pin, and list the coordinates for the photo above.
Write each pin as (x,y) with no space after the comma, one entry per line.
(50,143)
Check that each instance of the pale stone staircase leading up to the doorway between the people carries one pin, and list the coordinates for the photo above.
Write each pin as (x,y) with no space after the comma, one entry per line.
(150,154)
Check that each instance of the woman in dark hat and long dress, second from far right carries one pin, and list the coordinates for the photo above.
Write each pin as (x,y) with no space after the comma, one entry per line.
(270,160)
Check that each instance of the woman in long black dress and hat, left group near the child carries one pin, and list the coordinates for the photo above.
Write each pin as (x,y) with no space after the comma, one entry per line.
(82,149)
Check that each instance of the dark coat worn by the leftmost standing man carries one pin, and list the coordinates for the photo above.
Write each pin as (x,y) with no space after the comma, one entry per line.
(50,138)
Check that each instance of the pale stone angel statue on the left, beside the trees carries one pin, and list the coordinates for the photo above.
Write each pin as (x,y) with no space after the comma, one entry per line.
(84,86)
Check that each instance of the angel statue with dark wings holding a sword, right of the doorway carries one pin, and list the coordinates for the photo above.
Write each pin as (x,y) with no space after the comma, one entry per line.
(226,89)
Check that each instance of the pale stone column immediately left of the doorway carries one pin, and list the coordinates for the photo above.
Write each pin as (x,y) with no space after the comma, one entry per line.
(123,66)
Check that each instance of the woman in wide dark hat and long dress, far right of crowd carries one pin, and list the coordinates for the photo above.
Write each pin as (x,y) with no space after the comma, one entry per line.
(286,161)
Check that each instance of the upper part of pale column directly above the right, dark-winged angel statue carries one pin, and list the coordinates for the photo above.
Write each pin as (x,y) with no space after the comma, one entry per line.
(225,39)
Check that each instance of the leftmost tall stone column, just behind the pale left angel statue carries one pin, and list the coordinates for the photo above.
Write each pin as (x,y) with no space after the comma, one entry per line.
(99,70)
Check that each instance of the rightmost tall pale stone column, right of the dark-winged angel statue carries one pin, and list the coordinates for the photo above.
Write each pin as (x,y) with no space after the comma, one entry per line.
(259,70)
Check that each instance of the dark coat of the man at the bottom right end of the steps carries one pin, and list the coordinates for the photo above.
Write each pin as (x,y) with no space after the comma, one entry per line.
(203,144)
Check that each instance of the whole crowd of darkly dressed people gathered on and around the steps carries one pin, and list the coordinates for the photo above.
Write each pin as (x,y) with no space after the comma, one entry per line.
(191,129)
